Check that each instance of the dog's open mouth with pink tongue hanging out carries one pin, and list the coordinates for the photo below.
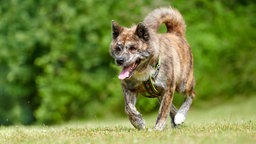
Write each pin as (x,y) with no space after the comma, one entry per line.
(128,70)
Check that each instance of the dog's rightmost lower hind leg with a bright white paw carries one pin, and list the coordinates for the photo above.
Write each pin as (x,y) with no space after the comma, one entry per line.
(182,112)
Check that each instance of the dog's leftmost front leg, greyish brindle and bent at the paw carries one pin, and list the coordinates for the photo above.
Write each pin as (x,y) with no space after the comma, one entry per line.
(135,117)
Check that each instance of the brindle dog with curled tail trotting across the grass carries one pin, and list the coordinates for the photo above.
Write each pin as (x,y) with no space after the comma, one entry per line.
(155,64)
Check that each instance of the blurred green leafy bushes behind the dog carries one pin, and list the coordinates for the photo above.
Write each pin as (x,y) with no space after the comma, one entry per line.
(55,65)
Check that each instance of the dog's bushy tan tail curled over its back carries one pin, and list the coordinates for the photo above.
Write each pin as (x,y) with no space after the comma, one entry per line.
(170,17)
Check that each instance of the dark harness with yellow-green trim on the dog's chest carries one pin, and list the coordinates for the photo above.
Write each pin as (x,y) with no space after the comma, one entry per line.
(149,85)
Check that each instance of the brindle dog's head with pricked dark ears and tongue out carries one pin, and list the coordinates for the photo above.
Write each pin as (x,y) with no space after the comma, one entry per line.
(130,48)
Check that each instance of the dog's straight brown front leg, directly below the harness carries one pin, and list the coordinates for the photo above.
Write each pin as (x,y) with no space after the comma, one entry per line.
(164,109)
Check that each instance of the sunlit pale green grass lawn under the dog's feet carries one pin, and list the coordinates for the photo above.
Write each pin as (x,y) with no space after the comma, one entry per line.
(234,122)
